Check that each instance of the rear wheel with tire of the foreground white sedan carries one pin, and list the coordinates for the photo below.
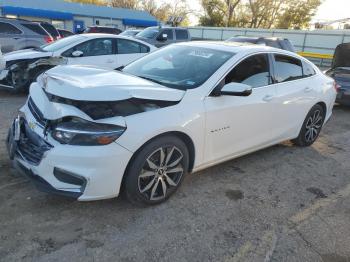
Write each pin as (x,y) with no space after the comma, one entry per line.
(311,127)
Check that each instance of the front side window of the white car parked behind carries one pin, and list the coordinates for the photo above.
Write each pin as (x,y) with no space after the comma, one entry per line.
(95,47)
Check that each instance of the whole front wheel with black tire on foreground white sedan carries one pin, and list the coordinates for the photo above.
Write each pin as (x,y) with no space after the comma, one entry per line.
(157,170)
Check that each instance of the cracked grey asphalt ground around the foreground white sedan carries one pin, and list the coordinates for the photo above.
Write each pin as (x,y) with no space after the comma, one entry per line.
(283,203)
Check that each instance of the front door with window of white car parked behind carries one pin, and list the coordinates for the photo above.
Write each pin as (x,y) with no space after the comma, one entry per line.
(97,52)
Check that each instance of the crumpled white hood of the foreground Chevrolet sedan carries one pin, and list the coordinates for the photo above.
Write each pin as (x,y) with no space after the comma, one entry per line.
(86,83)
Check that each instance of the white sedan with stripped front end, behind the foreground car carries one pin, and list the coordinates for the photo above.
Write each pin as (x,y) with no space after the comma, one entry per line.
(101,50)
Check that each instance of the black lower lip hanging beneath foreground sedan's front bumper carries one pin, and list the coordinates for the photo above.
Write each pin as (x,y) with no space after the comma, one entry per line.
(42,185)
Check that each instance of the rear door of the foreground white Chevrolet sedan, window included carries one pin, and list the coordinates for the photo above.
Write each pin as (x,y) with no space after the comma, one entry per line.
(295,94)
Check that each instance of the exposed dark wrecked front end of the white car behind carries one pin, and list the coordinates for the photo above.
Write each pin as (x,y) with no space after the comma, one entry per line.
(19,74)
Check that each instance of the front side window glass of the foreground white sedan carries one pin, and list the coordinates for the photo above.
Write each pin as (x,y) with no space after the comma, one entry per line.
(253,71)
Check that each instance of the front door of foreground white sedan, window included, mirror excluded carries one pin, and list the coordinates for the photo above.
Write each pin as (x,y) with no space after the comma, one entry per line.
(236,124)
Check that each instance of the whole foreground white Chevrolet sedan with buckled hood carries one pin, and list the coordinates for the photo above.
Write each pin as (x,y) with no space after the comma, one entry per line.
(86,132)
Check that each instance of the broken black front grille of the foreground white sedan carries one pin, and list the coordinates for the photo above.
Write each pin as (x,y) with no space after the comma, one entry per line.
(31,147)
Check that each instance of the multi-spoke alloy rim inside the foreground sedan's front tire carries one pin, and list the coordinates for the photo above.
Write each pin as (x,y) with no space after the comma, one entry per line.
(161,172)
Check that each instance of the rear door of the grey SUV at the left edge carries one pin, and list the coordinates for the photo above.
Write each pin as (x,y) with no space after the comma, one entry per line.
(10,37)
